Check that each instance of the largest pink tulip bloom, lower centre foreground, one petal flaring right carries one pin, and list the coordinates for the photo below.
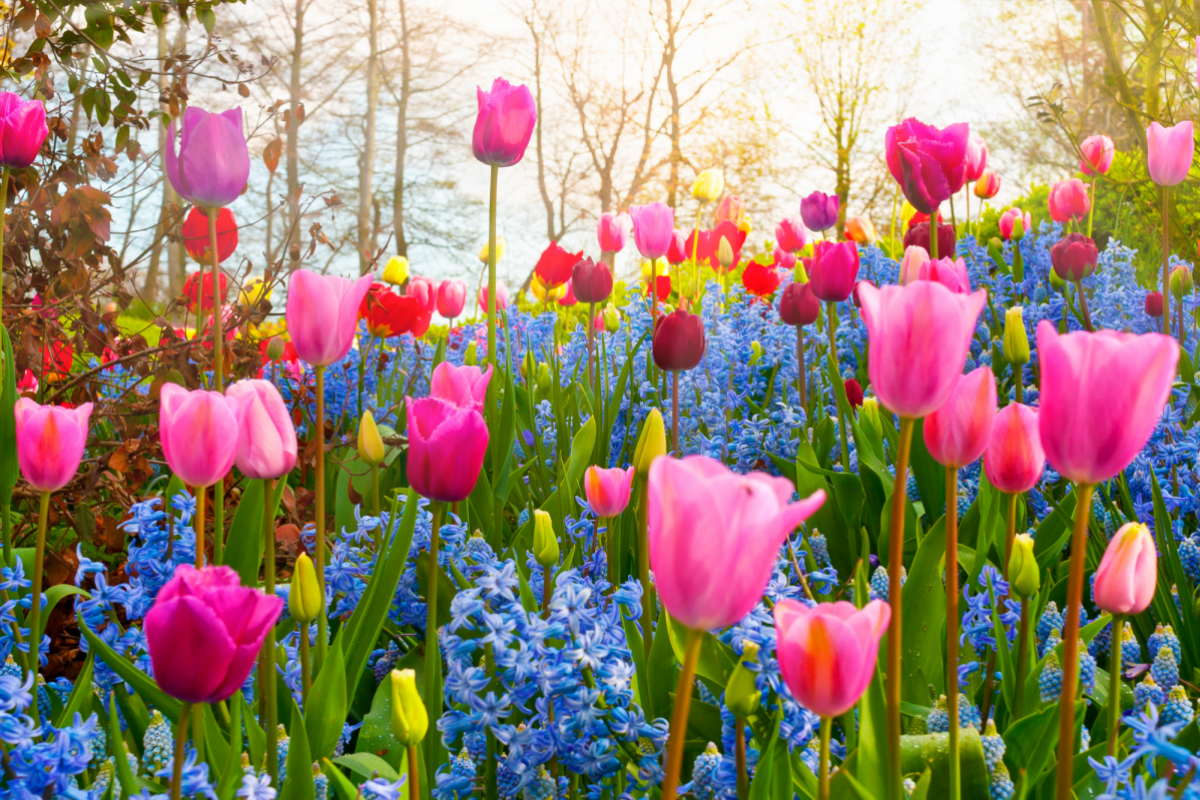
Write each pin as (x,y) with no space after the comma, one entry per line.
(715,537)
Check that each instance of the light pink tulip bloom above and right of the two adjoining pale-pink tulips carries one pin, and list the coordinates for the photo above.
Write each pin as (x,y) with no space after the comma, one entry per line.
(322,315)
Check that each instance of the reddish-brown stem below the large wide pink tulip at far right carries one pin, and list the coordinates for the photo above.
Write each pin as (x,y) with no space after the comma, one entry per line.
(1071,642)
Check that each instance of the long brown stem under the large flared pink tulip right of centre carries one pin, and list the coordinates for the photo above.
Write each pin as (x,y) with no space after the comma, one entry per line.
(896,563)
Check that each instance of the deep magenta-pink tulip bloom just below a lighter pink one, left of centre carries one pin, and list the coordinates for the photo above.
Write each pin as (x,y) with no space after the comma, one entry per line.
(447,446)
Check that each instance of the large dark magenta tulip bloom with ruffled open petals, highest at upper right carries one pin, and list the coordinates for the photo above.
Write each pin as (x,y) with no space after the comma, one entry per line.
(929,164)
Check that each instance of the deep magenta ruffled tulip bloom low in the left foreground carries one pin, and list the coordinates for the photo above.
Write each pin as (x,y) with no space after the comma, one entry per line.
(206,631)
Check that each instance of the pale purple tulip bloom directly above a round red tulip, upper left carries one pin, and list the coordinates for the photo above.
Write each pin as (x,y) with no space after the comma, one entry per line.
(213,164)
